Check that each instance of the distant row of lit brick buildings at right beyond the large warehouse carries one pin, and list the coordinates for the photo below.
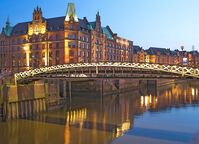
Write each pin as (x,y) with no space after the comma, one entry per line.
(165,56)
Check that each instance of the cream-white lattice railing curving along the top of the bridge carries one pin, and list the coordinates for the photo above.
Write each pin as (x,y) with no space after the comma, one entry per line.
(183,71)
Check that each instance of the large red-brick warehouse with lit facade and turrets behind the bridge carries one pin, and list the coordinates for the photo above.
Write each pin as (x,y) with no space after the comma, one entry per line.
(53,41)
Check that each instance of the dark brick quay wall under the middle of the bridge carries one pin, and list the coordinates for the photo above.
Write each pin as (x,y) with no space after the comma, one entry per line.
(108,86)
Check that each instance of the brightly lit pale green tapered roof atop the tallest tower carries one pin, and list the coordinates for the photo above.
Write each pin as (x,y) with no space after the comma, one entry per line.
(71,13)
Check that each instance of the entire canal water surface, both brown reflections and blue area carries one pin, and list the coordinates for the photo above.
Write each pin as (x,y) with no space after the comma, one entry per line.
(166,115)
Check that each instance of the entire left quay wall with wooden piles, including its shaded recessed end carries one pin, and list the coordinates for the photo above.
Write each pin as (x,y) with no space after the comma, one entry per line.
(26,100)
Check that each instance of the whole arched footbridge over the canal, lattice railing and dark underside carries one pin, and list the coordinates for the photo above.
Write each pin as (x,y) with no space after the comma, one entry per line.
(98,70)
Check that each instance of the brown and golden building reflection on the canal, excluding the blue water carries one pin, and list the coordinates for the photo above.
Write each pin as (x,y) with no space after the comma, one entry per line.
(98,120)
